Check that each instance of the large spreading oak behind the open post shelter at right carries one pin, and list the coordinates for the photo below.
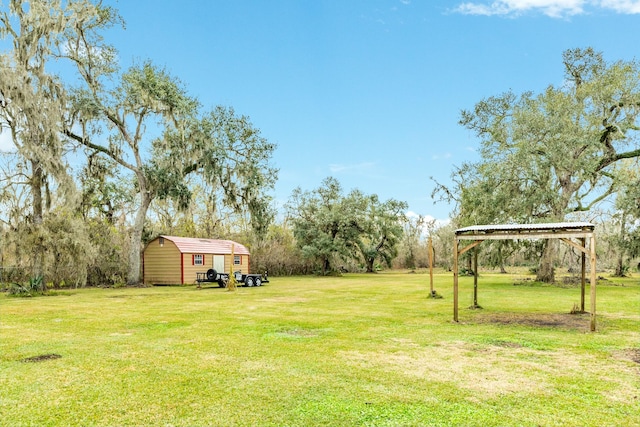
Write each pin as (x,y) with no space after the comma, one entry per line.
(547,156)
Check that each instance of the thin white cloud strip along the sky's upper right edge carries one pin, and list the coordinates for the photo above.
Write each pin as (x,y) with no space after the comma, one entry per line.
(551,8)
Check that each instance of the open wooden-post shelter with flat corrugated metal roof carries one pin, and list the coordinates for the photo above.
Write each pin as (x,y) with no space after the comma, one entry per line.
(563,231)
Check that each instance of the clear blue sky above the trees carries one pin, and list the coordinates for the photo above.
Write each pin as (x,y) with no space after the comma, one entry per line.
(369,92)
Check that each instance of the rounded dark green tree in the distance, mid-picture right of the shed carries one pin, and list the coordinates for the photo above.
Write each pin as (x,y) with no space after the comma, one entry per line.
(330,226)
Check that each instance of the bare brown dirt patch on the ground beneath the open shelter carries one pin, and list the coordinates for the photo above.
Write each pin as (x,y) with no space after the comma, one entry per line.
(546,320)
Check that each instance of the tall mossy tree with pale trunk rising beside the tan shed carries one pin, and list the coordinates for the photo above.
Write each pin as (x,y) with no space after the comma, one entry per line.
(223,148)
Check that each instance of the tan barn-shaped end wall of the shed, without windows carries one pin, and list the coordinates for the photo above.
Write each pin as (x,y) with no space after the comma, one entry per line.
(162,264)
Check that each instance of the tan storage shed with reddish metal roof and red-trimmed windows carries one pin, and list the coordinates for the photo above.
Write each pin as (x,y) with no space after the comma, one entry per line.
(170,260)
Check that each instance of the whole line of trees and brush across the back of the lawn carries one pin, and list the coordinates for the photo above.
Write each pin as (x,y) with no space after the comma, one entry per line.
(107,159)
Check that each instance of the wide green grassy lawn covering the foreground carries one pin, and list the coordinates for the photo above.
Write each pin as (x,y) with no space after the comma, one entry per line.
(307,351)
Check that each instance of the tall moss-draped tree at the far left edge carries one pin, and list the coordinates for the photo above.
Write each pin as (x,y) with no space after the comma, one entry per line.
(32,99)
